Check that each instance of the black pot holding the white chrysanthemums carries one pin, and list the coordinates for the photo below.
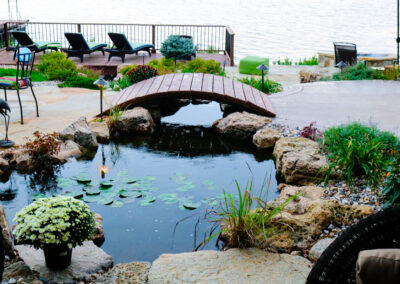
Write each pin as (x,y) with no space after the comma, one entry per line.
(57,257)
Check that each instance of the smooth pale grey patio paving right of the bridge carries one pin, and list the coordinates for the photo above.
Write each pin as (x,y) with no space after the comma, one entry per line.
(333,103)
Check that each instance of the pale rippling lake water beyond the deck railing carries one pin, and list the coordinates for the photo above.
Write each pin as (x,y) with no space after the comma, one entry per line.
(293,28)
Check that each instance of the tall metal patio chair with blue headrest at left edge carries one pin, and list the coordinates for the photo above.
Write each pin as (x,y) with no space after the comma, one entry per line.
(22,80)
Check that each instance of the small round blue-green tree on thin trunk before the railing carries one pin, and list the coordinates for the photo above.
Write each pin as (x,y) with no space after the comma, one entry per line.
(177,47)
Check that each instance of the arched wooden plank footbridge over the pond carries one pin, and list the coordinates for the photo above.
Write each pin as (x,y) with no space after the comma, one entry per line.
(195,86)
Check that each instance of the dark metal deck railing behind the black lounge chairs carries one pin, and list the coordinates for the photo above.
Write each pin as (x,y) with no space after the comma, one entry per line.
(207,38)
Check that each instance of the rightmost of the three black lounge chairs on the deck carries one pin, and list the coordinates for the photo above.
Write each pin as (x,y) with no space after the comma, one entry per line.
(122,46)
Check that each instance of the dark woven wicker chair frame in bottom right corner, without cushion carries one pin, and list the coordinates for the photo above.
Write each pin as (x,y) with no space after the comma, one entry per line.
(337,263)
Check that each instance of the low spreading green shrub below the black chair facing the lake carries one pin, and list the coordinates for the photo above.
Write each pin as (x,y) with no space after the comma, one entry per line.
(358,72)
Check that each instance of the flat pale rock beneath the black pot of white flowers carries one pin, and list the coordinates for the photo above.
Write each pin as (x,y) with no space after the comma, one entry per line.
(86,260)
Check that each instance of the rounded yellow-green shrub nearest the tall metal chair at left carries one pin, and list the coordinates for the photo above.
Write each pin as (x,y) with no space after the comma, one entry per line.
(56,66)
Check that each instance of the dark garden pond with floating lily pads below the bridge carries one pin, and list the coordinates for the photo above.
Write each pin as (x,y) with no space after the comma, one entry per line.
(179,167)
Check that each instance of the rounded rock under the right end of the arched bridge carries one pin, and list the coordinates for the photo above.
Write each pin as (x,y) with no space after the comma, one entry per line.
(240,125)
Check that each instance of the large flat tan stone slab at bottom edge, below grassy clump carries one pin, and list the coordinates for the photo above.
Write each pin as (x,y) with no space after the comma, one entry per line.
(232,266)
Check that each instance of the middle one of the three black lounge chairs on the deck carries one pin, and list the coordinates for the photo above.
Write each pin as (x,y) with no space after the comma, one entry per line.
(78,46)
